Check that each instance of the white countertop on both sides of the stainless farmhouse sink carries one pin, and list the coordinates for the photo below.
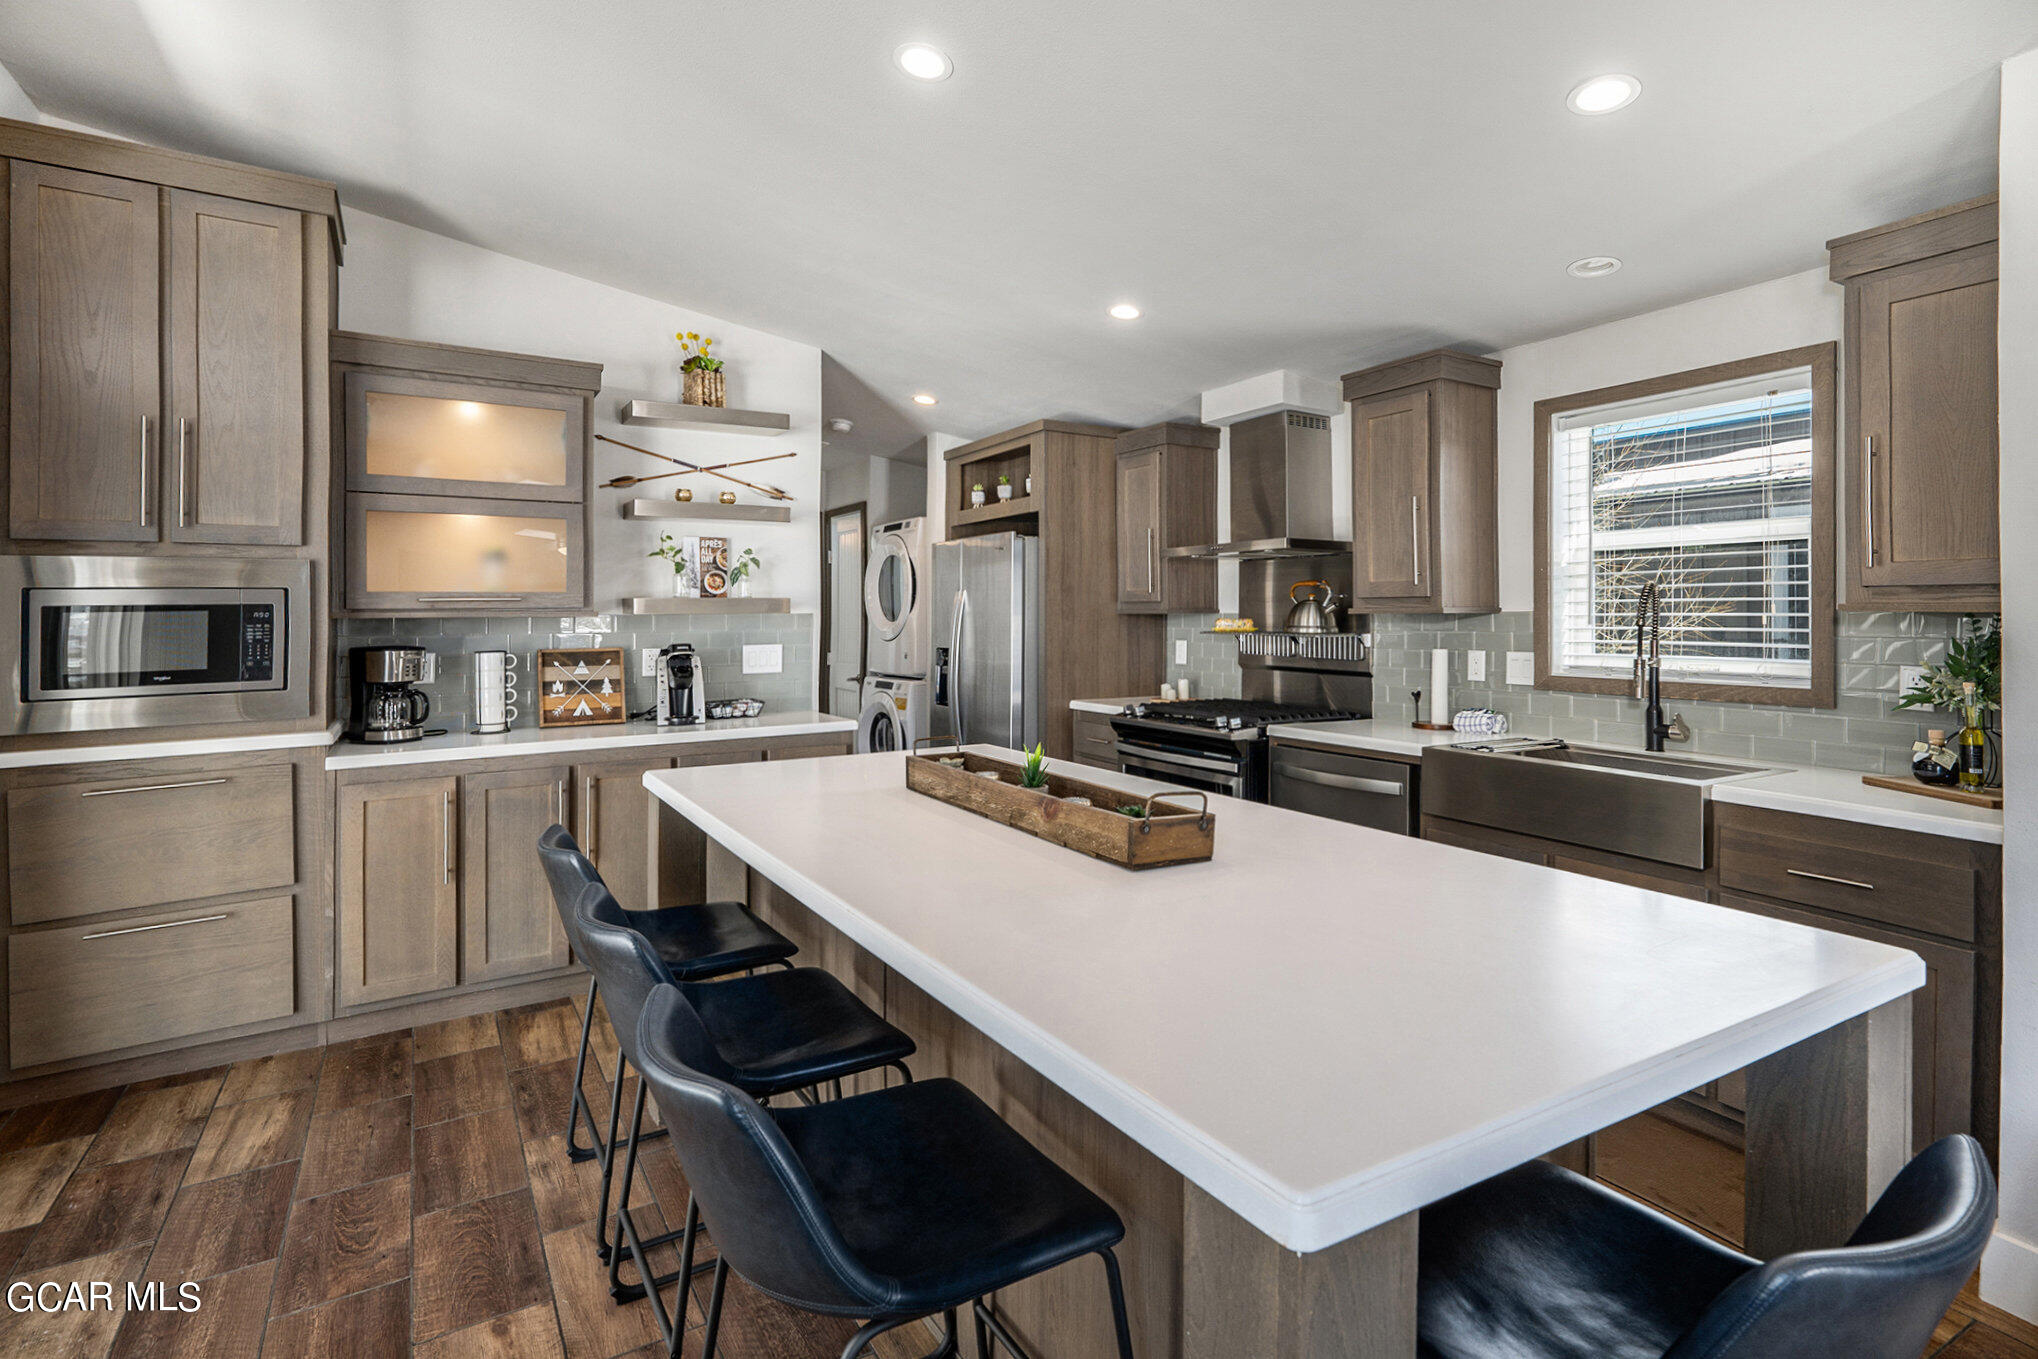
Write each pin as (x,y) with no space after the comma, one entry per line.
(1811,792)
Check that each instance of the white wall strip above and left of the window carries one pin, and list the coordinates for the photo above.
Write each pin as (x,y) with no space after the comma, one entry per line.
(1803,309)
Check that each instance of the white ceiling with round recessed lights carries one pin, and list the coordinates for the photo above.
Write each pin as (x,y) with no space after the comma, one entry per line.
(1316,184)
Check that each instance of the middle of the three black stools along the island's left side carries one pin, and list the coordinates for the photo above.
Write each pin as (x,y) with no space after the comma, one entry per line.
(769,1034)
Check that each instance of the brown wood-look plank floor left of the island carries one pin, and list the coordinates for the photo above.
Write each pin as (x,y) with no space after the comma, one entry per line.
(409,1193)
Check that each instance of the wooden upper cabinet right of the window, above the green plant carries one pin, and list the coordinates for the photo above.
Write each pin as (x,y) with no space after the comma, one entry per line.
(1923,459)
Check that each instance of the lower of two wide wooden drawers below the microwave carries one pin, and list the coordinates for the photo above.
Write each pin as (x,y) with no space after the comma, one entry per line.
(93,989)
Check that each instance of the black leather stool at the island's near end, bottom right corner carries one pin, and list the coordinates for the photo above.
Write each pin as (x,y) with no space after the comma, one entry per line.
(1542,1264)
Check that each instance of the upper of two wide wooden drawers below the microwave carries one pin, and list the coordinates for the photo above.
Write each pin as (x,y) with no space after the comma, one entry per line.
(148,840)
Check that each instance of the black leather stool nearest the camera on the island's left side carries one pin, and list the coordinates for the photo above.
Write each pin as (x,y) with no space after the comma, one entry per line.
(898,1205)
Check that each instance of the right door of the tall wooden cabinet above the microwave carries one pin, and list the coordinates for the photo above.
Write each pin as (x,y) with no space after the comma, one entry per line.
(235,421)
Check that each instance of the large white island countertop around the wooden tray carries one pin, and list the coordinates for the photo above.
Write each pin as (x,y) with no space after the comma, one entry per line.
(1326,1026)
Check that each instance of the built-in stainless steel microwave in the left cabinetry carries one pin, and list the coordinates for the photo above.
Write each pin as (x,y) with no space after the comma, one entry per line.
(154,643)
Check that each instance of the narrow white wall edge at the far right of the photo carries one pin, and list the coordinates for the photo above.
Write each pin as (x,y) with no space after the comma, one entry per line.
(2010,1272)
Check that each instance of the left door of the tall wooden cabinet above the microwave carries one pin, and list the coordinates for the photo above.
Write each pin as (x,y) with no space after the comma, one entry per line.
(85,345)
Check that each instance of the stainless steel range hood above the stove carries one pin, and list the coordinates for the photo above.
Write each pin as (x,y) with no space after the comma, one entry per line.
(1281,490)
